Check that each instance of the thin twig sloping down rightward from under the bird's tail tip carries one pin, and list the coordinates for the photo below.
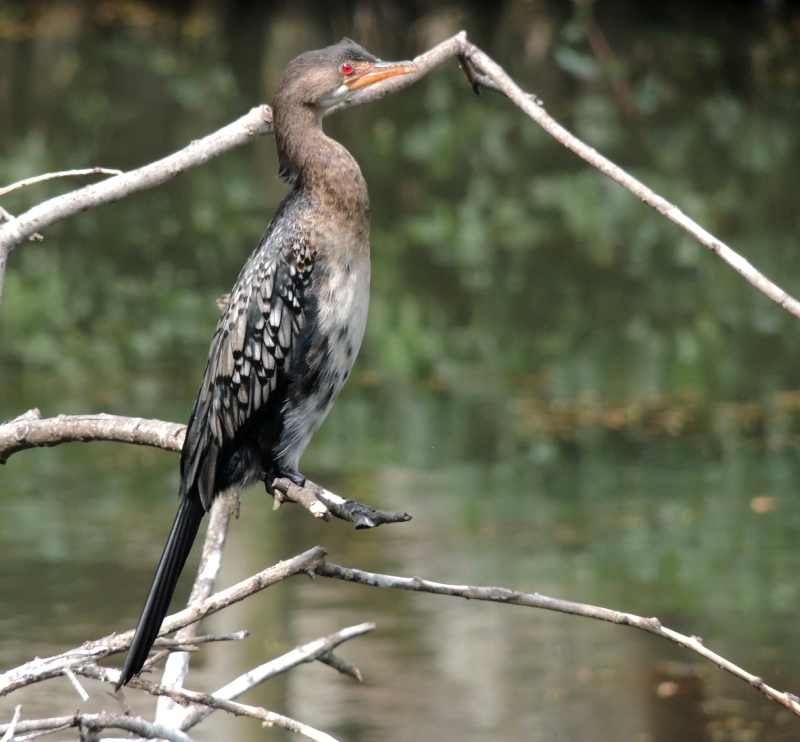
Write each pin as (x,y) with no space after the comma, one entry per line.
(267,718)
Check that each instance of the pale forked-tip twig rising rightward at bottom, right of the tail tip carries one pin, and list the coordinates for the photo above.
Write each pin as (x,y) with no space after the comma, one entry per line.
(314,650)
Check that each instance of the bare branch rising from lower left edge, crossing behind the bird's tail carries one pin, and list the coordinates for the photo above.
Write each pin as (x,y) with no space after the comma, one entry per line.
(43,668)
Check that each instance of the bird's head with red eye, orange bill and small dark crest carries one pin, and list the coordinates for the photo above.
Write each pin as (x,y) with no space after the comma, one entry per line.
(326,78)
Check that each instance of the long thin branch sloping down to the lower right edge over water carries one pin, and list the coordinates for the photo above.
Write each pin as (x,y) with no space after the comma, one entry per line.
(585,610)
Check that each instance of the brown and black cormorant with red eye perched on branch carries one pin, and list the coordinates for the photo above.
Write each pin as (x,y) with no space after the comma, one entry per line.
(287,338)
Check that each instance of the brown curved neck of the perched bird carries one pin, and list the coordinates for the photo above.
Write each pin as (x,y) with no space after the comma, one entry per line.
(317,164)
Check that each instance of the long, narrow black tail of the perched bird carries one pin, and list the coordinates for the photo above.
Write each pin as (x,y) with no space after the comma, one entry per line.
(179,544)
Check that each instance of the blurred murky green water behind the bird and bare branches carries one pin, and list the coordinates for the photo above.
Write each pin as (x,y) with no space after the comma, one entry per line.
(569,395)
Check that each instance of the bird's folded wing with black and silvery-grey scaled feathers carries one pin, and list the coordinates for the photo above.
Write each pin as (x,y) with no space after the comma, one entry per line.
(249,351)
